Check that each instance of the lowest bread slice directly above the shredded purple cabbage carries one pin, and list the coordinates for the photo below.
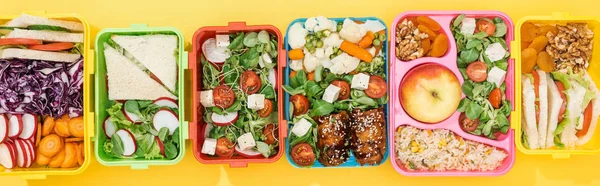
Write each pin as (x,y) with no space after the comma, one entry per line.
(11,53)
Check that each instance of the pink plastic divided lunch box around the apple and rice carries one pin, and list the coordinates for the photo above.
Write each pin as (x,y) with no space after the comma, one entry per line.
(399,116)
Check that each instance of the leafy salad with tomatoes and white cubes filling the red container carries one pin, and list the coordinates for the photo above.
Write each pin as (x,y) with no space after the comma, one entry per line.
(239,96)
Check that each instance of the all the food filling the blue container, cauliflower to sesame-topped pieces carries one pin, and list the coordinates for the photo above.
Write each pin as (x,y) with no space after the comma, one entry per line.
(338,89)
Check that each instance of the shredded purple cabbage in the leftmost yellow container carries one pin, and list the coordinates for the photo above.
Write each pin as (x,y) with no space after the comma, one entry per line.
(41,87)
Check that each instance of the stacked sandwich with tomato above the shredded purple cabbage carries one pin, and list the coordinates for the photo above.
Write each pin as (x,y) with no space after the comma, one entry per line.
(37,38)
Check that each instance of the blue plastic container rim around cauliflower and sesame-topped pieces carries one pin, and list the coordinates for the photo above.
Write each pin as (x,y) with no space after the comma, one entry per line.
(351,162)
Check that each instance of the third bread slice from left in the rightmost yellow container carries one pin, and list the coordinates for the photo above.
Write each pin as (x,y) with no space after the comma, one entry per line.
(554,104)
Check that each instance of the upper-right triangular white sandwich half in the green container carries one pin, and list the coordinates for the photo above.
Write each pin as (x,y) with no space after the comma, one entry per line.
(155,52)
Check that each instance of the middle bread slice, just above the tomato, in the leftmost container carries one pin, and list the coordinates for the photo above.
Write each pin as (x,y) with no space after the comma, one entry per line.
(44,35)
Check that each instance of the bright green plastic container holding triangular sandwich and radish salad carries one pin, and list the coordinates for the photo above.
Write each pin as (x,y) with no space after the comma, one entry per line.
(102,102)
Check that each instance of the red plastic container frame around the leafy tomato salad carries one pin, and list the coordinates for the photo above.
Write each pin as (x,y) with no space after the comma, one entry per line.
(197,125)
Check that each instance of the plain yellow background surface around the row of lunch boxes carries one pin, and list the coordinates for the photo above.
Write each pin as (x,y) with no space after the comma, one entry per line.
(189,15)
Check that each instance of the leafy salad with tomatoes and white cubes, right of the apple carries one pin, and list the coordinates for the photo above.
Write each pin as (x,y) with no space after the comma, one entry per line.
(483,62)
